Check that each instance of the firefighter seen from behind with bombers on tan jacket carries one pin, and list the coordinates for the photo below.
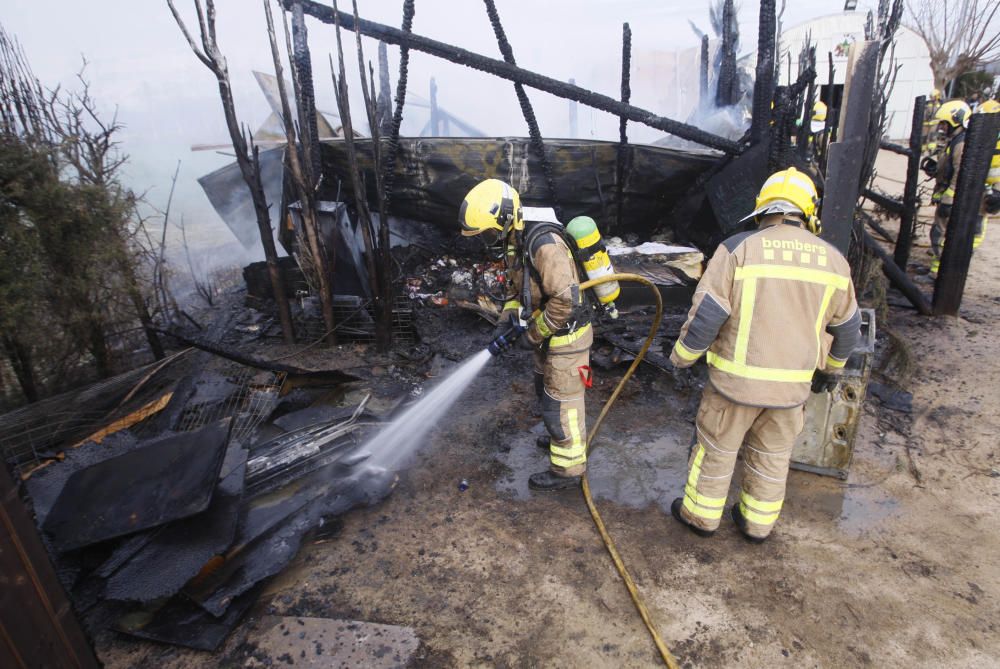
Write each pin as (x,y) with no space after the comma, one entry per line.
(775,306)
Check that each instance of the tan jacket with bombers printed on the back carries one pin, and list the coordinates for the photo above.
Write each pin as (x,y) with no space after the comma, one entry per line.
(773,306)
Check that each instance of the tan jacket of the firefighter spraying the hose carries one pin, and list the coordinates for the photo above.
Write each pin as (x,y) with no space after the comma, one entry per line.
(558,309)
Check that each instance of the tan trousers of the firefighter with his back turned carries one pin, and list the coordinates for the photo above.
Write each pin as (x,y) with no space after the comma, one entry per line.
(765,436)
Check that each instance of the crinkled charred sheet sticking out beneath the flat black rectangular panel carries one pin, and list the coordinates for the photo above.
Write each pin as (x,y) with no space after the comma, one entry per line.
(181,549)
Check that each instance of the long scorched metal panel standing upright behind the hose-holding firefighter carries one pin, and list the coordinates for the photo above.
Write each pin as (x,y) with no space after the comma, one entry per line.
(434,174)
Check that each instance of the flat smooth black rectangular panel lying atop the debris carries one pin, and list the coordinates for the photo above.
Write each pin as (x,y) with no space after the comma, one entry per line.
(167,479)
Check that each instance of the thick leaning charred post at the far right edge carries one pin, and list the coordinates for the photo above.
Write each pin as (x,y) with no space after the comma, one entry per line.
(980,142)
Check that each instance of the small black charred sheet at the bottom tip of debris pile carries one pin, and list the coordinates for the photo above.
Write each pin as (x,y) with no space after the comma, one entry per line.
(183,623)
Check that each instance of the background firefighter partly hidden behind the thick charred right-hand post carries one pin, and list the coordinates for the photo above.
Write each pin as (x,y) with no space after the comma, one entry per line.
(953,118)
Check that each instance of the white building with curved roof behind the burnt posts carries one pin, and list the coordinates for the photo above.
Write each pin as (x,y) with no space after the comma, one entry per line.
(835,34)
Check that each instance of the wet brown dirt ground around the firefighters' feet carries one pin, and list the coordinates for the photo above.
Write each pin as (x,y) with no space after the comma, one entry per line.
(895,567)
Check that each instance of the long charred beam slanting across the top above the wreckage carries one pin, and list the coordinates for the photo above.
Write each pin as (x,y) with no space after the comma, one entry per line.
(516,74)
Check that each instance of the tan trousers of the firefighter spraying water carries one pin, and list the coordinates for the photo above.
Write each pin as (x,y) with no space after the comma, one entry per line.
(561,394)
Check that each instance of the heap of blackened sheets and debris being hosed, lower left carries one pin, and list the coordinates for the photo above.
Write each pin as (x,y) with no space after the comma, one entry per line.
(166,518)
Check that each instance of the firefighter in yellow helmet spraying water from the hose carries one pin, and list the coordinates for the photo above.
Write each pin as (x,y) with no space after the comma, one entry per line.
(543,296)
